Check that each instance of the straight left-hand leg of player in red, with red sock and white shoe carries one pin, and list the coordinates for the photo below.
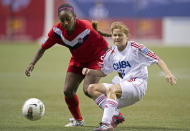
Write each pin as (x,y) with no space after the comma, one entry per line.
(72,82)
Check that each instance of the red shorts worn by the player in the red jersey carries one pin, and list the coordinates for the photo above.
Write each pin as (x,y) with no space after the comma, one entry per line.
(76,66)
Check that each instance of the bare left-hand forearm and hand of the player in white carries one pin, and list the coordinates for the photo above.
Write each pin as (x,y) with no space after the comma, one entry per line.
(97,73)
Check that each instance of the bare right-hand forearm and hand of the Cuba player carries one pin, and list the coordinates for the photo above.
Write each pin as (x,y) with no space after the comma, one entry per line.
(168,75)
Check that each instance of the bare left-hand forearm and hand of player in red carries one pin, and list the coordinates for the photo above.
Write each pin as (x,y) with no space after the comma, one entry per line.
(37,56)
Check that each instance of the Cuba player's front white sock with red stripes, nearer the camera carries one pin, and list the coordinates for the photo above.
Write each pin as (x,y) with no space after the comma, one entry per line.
(109,110)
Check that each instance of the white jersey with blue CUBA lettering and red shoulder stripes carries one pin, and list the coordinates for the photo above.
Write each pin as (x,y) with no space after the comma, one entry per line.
(131,62)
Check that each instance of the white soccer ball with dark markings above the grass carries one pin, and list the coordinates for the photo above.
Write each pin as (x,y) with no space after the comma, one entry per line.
(33,109)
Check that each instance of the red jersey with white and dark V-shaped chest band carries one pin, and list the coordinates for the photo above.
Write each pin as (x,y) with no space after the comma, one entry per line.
(85,43)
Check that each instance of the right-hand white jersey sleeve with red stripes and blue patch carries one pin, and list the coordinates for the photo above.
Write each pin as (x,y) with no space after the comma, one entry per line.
(147,56)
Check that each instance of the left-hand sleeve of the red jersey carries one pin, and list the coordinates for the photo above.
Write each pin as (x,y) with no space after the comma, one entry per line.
(50,40)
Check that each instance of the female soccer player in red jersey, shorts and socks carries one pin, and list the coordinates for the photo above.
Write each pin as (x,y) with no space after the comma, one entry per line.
(86,46)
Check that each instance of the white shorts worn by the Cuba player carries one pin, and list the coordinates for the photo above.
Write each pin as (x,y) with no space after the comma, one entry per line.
(132,91)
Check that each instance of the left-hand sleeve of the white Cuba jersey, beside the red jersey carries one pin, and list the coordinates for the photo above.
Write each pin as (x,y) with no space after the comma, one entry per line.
(107,62)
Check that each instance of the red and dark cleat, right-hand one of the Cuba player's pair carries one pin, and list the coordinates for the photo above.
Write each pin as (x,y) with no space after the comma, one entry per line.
(116,120)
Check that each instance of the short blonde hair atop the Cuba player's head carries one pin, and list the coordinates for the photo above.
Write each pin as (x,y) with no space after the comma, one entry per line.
(121,26)
